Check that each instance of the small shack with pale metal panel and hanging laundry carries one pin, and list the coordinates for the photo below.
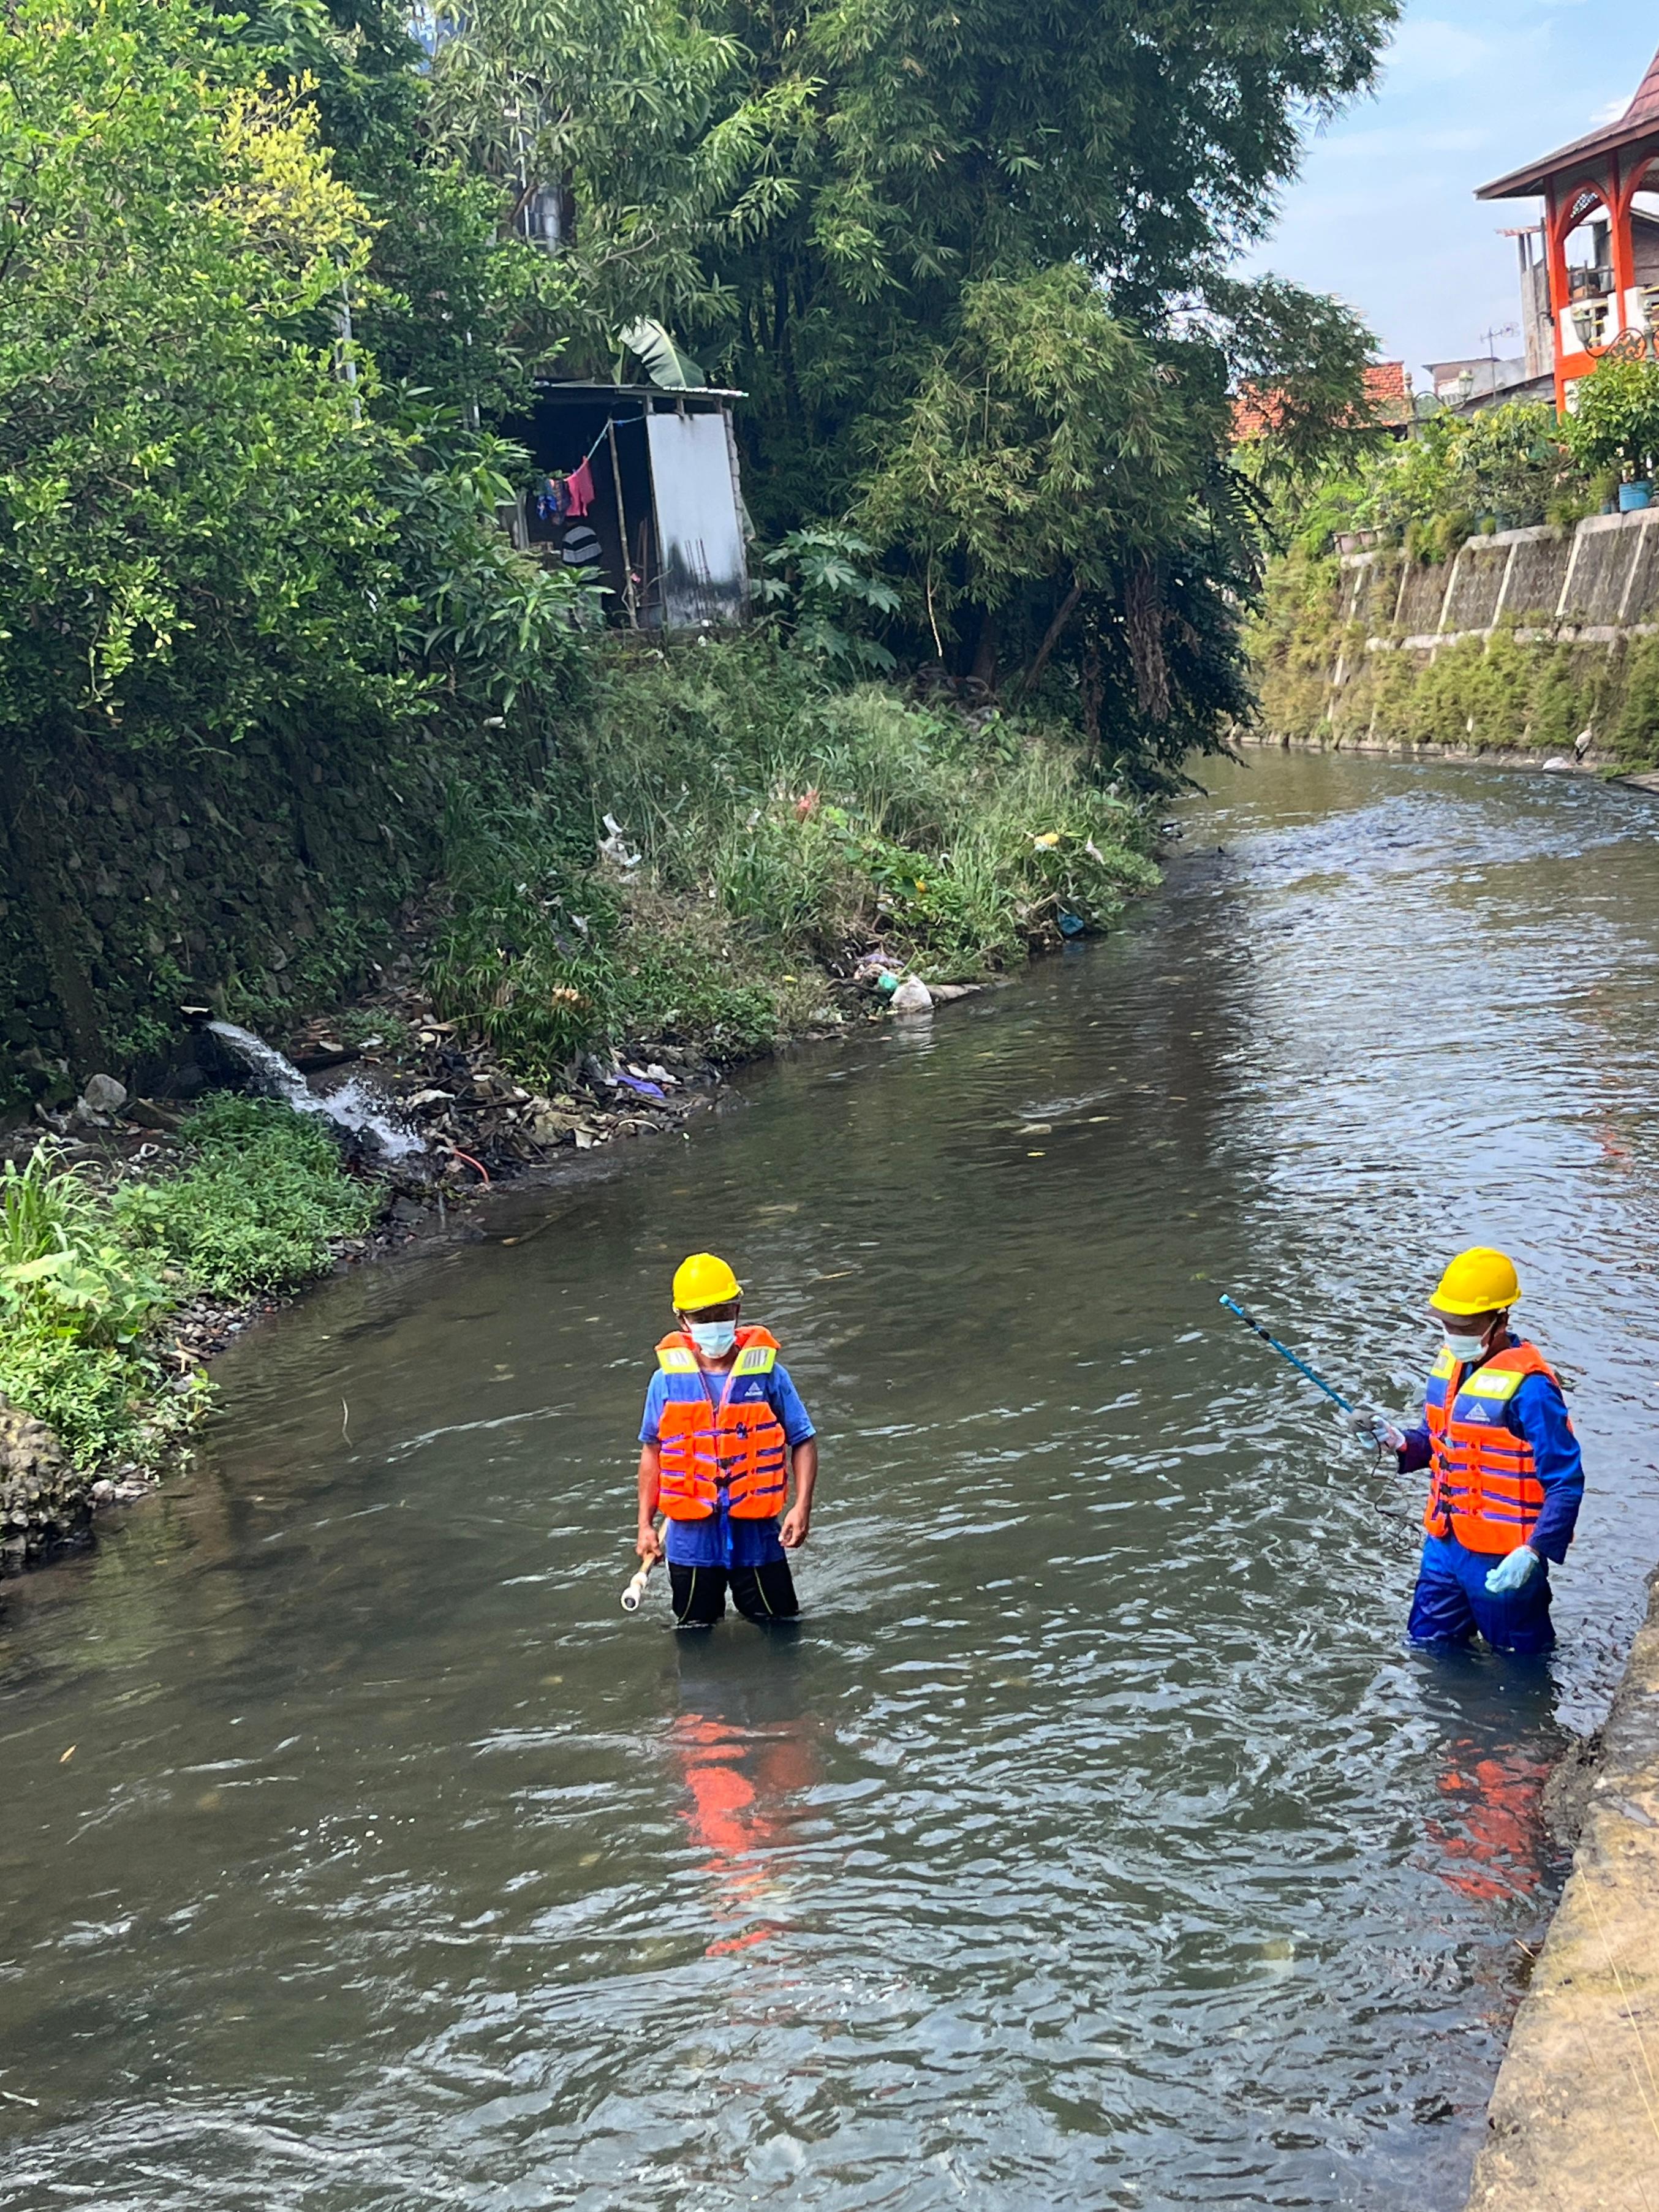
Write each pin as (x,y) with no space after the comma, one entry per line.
(640,483)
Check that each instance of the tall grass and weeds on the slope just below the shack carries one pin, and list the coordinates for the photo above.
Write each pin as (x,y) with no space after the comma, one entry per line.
(769,831)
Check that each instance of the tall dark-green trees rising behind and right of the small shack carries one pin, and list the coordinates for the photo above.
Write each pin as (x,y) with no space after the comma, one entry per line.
(972,275)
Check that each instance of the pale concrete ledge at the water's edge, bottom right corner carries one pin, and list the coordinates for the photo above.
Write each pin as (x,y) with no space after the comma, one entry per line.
(1574,2125)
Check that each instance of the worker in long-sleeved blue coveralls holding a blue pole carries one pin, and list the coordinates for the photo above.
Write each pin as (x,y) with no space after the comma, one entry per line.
(1505,1472)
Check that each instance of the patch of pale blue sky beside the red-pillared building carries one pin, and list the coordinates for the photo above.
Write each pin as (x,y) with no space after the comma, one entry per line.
(1384,211)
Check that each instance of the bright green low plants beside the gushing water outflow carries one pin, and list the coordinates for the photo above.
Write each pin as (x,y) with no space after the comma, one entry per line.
(90,1275)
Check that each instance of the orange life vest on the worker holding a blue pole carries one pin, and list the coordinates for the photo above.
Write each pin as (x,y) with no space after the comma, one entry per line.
(1483,1483)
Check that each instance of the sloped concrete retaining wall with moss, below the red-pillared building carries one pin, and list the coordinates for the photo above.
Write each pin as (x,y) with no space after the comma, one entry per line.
(1527,640)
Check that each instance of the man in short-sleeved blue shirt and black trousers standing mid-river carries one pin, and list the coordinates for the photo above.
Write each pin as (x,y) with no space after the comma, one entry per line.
(722,1437)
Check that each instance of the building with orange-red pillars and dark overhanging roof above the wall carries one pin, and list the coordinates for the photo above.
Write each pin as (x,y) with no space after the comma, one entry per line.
(1594,267)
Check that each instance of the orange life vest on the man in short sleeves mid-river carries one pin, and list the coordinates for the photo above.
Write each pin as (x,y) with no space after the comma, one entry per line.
(718,1432)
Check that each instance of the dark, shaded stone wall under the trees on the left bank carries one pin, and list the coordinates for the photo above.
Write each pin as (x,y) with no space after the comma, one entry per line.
(255,877)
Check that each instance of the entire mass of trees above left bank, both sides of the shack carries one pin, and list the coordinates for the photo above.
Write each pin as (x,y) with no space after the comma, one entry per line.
(273,278)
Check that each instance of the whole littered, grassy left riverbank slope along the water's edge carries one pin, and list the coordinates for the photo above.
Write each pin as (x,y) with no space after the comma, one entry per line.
(731,853)
